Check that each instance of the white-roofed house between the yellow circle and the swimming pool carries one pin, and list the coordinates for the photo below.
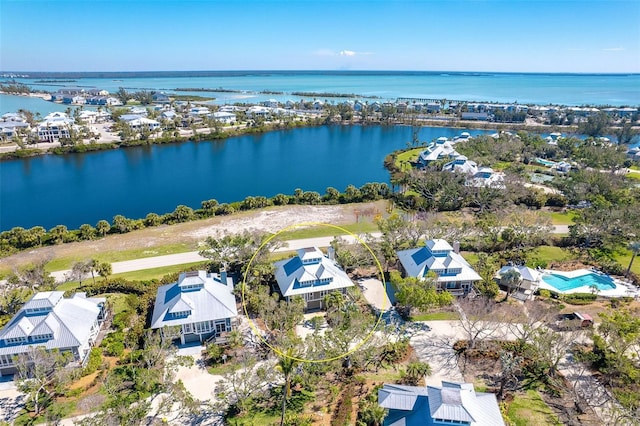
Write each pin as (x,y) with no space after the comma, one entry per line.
(453,272)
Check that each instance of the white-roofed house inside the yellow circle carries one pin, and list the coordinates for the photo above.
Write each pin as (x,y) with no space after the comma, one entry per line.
(311,275)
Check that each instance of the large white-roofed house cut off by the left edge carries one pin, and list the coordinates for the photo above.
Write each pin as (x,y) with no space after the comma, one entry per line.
(54,322)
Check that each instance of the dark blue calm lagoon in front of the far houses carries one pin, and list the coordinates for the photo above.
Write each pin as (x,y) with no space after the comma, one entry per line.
(84,188)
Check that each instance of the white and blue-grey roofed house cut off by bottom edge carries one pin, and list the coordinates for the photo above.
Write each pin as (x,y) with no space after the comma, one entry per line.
(451,404)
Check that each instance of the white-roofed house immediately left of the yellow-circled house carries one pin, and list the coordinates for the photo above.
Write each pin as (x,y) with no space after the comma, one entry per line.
(199,307)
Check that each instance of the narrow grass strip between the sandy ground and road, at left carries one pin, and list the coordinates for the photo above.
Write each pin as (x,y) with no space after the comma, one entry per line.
(62,263)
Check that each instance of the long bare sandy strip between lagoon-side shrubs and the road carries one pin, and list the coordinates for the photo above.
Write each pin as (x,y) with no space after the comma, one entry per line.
(270,219)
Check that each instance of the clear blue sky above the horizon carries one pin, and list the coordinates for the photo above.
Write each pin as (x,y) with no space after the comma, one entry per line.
(581,36)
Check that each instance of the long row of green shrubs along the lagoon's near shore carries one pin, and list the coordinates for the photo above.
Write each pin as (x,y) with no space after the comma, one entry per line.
(19,238)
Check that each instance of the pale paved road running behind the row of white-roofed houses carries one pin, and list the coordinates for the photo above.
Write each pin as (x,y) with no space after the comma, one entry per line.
(193,256)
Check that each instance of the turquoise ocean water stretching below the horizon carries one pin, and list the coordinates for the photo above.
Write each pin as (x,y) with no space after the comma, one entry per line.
(561,89)
